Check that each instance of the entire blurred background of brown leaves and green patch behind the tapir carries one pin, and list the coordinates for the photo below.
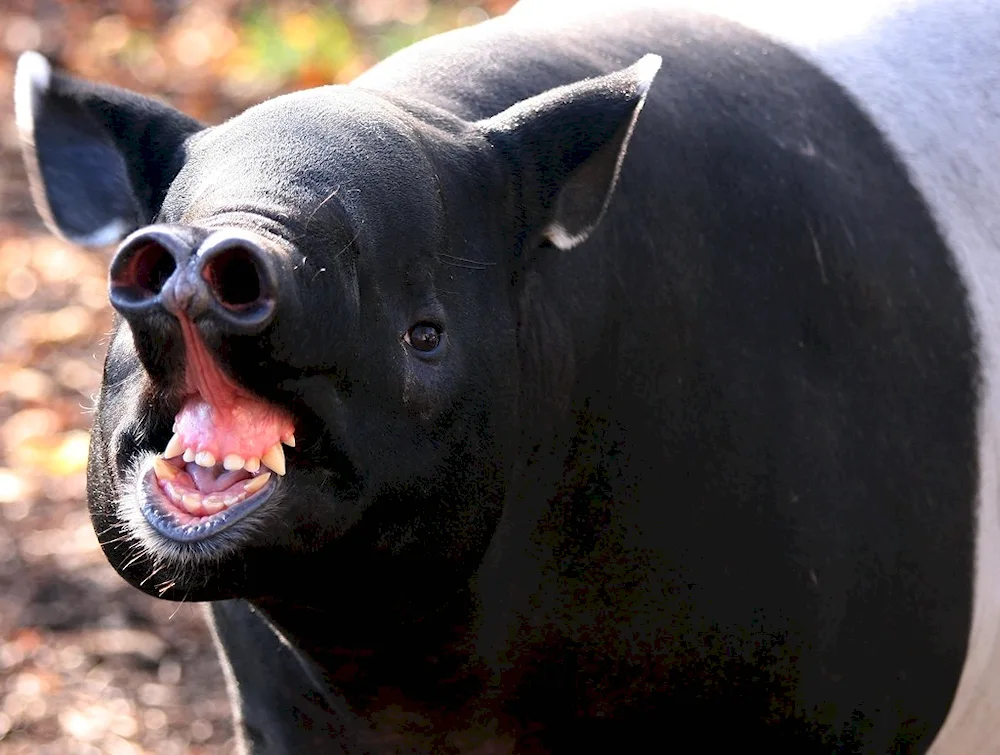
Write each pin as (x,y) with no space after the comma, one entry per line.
(88,664)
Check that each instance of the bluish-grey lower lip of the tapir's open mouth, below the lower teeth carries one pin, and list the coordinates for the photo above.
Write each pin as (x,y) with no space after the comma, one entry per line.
(177,526)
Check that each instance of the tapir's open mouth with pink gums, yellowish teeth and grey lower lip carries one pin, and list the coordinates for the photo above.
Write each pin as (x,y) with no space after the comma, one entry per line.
(223,460)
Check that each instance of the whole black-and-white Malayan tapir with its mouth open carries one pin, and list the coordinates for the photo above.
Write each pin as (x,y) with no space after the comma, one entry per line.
(584,381)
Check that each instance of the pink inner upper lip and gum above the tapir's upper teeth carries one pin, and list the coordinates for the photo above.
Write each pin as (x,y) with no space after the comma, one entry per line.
(221,418)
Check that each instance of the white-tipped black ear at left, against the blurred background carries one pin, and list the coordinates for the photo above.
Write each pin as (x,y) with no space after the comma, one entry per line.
(99,159)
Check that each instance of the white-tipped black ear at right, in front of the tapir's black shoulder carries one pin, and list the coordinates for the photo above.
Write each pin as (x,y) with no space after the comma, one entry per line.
(567,147)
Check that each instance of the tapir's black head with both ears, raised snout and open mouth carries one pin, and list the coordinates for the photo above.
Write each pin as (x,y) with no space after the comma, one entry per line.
(320,344)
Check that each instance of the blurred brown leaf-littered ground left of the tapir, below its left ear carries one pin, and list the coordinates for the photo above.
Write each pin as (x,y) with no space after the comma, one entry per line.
(88,665)
